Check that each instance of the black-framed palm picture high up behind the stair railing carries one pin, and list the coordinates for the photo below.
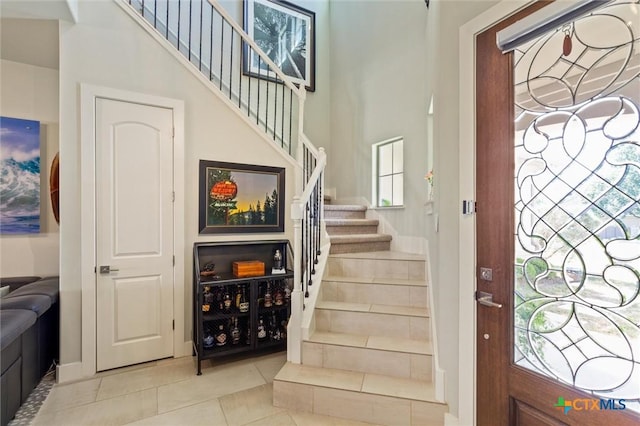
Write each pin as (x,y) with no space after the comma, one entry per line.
(286,33)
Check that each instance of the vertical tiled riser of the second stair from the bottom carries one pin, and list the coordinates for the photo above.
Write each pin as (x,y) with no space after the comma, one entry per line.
(367,360)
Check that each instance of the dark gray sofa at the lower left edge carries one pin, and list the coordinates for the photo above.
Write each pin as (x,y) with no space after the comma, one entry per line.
(29,338)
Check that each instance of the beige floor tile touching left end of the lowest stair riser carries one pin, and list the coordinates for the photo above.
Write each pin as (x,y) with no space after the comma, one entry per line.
(250,405)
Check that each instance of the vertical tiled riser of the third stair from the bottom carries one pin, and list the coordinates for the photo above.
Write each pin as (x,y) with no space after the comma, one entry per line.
(367,323)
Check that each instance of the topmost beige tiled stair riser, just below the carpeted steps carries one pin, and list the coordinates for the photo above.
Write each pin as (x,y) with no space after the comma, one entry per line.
(376,268)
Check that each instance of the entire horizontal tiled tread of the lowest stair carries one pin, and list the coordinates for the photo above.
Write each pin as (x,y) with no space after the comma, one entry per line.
(374,384)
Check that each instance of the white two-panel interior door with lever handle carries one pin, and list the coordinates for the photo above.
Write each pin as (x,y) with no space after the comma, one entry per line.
(134,221)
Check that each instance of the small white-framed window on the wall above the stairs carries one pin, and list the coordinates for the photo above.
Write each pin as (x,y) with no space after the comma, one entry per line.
(388,173)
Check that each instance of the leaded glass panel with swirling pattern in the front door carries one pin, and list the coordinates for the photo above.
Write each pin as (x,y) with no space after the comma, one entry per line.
(577,204)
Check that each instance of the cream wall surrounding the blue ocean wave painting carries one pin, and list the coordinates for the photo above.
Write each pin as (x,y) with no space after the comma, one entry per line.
(31,92)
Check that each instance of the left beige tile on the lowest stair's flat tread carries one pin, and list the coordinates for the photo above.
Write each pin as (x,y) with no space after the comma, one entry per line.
(321,377)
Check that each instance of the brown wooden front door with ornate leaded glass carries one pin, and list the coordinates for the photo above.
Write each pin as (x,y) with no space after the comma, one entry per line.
(558,224)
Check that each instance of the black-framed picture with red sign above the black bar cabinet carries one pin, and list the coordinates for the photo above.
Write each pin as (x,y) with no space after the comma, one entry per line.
(240,198)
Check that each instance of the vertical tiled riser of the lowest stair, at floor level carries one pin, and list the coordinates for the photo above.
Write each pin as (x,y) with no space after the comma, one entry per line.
(376,409)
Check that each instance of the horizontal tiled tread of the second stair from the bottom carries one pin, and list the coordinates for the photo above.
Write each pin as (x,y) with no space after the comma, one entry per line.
(390,344)
